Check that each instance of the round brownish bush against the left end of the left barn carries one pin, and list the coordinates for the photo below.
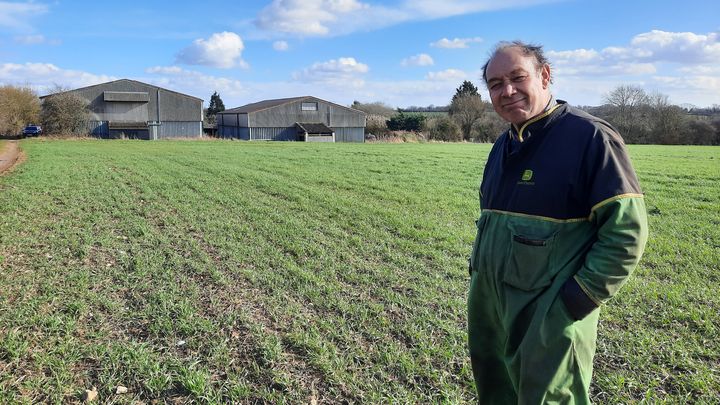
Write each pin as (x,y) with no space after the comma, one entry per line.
(64,113)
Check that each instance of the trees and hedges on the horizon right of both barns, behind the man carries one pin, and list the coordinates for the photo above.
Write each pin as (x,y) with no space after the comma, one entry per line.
(639,116)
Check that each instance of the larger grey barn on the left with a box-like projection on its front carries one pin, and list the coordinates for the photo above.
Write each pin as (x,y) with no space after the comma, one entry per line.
(130,109)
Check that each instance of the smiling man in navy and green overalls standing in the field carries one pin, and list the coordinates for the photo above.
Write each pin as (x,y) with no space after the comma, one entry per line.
(562,226)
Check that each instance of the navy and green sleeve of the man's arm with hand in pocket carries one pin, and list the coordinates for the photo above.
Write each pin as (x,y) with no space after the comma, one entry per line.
(618,214)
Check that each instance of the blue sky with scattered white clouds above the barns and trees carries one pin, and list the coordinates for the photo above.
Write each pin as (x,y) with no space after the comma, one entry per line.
(398,52)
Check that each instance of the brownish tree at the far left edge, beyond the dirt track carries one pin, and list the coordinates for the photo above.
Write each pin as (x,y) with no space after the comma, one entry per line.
(19,106)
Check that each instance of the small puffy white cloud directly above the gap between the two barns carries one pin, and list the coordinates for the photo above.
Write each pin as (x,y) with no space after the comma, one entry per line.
(221,50)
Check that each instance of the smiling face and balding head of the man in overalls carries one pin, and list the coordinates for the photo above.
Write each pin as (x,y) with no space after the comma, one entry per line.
(518,90)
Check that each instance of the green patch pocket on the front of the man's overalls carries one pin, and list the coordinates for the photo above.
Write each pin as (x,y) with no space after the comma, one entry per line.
(529,266)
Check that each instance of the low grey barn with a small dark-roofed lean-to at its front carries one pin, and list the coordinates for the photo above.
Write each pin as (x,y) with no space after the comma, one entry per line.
(293,119)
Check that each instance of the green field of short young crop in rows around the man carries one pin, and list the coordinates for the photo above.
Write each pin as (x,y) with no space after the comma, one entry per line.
(289,272)
